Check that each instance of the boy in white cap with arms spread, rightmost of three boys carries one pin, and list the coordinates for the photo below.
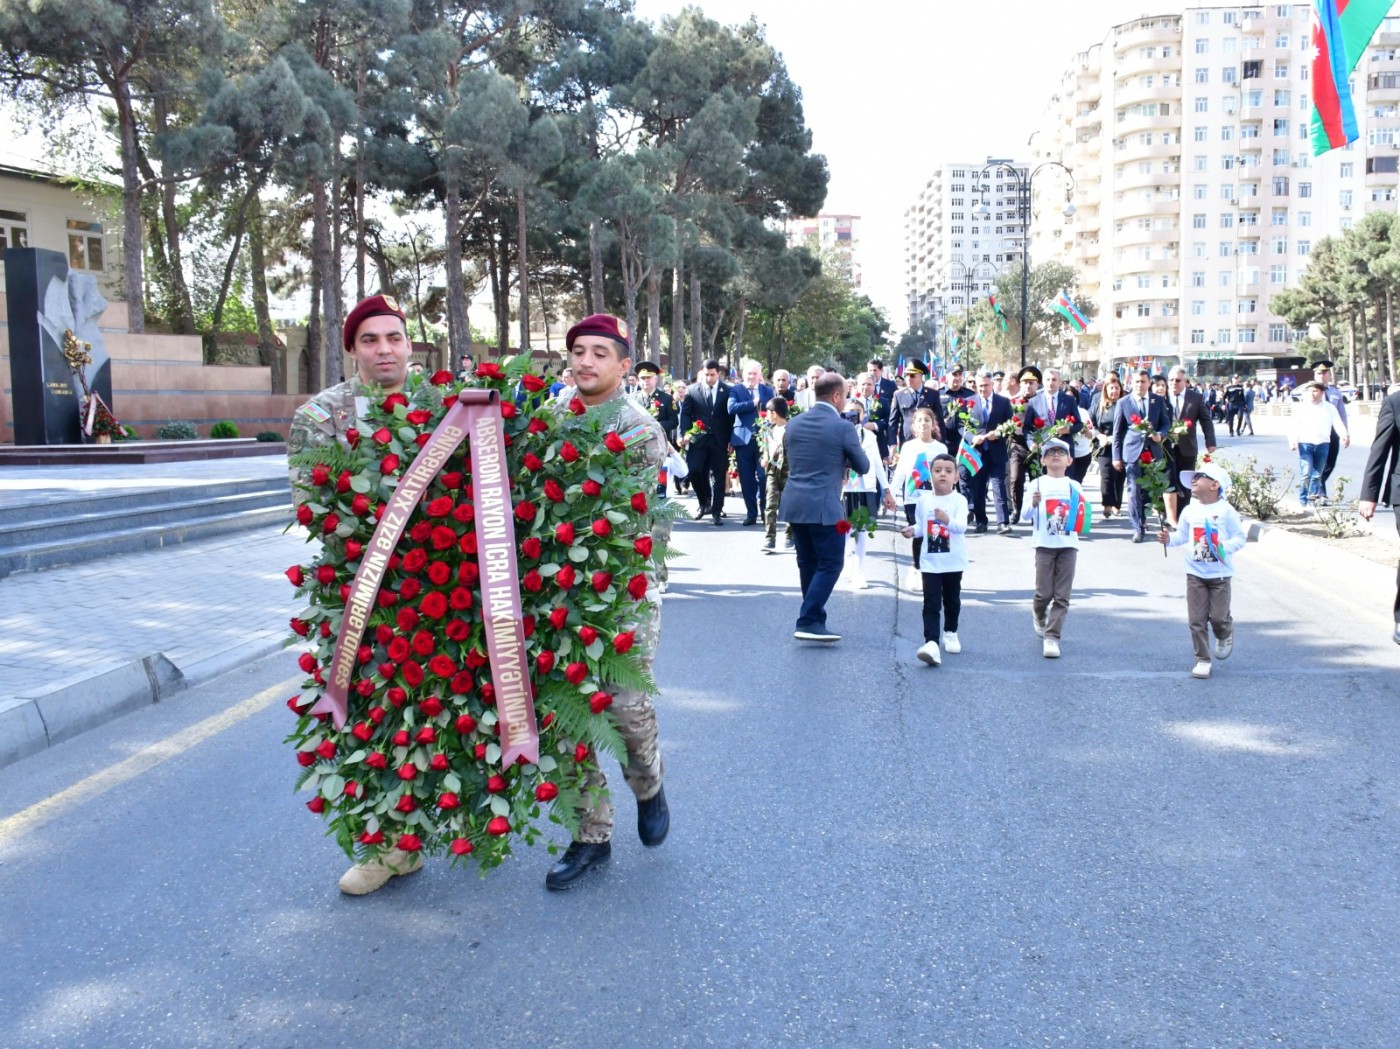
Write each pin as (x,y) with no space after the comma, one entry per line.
(1212,532)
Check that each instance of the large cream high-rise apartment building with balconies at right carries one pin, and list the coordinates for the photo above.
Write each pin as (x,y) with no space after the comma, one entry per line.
(1196,194)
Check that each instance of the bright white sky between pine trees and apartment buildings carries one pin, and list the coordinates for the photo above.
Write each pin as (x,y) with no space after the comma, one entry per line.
(892,89)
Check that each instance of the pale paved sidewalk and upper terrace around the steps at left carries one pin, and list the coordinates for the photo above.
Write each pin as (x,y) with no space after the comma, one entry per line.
(85,644)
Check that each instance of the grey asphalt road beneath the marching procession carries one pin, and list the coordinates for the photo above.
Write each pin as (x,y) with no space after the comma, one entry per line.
(866,852)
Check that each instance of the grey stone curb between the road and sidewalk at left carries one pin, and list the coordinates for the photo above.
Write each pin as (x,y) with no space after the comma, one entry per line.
(34,722)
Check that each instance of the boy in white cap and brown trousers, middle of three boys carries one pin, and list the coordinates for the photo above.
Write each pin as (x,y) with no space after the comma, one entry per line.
(1049,503)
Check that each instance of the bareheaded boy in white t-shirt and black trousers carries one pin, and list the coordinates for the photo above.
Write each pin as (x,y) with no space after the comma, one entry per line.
(941,519)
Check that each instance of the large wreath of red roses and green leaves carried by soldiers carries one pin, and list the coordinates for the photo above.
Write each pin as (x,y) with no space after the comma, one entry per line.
(418,763)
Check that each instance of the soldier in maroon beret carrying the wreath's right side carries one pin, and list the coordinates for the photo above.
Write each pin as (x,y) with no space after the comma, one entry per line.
(600,356)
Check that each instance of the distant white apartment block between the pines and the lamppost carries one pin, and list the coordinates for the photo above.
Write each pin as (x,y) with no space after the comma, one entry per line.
(965,226)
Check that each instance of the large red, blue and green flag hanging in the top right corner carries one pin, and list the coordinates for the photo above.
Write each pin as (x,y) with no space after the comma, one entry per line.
(1340,32)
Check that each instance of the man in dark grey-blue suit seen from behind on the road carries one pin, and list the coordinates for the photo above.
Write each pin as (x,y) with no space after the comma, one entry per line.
(820,447)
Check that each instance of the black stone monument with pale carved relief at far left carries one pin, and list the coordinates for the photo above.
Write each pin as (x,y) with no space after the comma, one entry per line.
(45,299)
